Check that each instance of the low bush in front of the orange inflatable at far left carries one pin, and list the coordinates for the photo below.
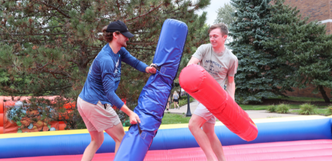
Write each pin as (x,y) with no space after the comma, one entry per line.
(37,114)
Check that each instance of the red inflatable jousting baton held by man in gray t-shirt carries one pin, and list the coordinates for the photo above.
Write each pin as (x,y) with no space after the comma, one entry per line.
(195,80)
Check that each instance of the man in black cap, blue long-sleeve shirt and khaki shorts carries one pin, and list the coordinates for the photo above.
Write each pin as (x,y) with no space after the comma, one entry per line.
(98,94)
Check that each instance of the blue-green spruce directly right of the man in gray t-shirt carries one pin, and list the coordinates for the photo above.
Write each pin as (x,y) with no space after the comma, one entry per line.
(259,75)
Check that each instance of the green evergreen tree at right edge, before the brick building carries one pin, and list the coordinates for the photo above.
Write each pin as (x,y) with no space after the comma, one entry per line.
(303,46)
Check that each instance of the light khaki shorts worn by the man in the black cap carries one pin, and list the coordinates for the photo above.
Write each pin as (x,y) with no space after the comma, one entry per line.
(96,117)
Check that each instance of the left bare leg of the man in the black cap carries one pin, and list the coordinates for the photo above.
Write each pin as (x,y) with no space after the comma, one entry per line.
(97,139)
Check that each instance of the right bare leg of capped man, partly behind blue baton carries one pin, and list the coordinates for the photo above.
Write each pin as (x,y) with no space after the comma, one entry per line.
(116,132)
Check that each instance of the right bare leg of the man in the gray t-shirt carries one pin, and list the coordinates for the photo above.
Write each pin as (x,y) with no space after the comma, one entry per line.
(208,128)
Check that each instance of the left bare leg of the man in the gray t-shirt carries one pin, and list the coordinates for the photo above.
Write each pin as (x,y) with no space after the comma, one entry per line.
(195,124)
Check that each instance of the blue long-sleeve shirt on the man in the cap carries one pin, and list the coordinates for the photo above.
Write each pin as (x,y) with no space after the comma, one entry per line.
(104,76)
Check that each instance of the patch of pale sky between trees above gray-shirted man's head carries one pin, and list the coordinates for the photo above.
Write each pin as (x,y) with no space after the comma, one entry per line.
(212,10)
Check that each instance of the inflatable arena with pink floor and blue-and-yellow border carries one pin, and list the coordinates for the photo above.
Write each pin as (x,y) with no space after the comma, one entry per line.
(303,138)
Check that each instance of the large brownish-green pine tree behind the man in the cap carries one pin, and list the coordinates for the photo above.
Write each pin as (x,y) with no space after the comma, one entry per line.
(51,44)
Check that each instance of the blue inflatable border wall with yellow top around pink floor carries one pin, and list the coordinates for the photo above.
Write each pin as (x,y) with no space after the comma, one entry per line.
(71,142)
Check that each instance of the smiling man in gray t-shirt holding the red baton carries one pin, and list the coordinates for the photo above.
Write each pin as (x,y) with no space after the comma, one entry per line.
(222,66)
